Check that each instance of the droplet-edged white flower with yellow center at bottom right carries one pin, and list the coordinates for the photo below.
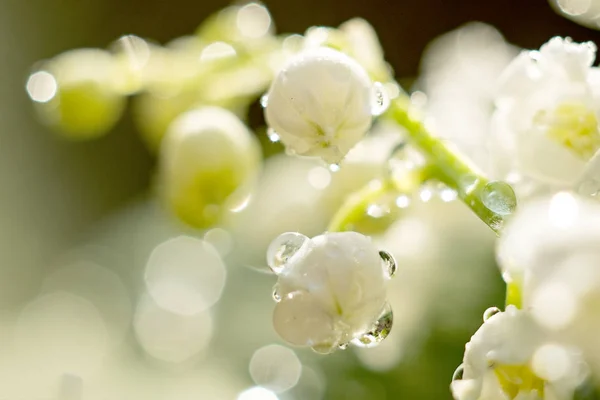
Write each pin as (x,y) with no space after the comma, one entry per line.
(511,357)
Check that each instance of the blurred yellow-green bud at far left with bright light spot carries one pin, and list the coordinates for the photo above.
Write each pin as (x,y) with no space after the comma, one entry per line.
(77,93)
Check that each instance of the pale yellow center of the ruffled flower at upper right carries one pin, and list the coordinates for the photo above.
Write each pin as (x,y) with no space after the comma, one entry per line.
(572,125)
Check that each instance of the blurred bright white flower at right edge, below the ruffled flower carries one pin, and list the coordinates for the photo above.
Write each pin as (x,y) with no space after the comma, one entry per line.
(551,249)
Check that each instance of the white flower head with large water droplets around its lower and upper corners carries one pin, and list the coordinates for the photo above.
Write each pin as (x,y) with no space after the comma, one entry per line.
(331,290)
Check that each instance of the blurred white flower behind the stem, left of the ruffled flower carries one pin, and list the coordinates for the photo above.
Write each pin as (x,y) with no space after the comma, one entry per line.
(458,71)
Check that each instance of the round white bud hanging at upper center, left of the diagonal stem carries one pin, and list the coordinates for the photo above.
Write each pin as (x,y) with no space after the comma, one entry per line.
(320,104)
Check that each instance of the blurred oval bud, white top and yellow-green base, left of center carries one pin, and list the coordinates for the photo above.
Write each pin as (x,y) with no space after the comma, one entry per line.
(208,162)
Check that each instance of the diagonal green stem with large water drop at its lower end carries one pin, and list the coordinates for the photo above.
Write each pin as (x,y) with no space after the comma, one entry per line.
(455,171)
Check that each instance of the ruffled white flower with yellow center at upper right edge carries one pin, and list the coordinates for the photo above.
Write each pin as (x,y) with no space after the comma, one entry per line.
(545,127)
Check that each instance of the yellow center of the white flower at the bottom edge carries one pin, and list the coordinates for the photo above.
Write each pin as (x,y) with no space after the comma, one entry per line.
(515,379)
